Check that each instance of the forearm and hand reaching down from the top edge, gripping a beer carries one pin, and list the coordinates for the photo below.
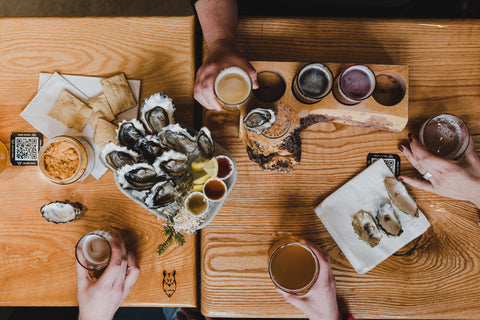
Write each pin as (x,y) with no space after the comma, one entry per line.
(218,19)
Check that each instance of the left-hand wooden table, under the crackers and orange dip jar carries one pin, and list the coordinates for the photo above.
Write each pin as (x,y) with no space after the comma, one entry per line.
(37,257)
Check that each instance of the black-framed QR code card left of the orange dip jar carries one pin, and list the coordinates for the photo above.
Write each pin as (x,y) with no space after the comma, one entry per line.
(24,147)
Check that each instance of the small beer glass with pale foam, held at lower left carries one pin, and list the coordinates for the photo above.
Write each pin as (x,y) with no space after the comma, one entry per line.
(93,250)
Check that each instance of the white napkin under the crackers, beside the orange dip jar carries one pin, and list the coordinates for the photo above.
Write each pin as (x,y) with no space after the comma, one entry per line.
(50,86)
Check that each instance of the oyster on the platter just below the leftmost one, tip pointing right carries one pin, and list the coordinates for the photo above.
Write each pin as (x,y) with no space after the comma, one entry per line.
(139,176)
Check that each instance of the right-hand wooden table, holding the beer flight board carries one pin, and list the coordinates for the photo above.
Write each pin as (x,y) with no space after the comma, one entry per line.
(440,277)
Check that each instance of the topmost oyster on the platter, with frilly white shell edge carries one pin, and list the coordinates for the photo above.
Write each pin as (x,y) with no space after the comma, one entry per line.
(157,112)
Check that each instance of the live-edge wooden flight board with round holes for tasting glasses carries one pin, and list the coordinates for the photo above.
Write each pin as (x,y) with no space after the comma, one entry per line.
(368,113)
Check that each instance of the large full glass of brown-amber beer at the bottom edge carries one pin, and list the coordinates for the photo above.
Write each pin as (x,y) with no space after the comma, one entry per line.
(293,267)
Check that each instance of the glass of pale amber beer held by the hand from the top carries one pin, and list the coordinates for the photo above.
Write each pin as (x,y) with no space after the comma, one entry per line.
(232,88)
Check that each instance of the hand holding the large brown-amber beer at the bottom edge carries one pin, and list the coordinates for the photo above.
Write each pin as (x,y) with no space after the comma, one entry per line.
(321,301)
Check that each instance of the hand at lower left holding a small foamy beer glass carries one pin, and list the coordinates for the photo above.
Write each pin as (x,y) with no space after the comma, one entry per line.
(100,298)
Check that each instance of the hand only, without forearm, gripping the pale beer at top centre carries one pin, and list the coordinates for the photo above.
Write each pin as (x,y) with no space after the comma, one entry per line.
(222,54)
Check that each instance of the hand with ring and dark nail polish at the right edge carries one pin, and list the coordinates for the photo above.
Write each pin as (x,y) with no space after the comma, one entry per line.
(458,179)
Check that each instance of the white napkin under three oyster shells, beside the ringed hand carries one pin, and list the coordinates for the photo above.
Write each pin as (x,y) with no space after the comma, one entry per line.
(366,192)
